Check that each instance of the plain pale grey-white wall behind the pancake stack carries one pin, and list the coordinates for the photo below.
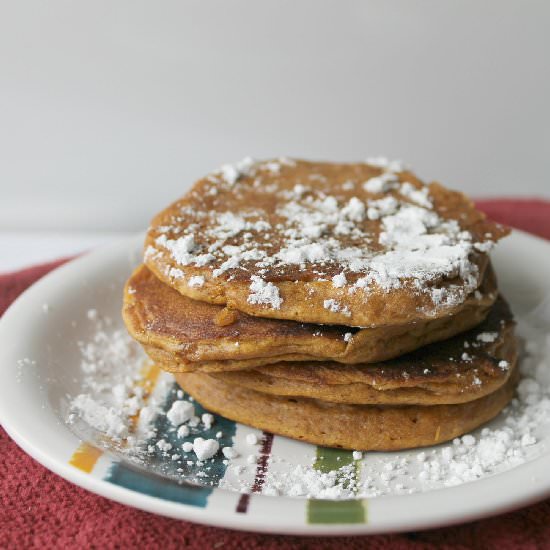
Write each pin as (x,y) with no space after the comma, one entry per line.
(110,109)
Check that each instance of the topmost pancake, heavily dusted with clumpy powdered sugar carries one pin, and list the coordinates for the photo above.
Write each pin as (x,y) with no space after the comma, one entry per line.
(351,244)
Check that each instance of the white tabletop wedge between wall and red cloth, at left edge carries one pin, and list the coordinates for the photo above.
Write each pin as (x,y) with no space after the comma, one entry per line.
(22,249)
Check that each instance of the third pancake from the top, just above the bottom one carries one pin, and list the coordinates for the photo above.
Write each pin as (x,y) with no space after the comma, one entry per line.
(461,369)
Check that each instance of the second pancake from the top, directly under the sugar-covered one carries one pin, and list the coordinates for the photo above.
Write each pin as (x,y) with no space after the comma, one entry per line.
(189,335)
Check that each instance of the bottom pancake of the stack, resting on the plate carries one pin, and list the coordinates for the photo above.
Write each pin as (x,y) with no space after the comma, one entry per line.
(356,427)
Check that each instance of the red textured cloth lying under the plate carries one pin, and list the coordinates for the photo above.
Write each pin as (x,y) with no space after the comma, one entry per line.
(39,509)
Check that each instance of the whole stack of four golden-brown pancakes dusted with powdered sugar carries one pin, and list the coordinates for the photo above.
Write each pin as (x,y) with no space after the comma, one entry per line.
(348,305)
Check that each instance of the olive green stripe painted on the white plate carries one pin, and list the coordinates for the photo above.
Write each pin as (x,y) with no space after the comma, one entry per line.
(335,511)
